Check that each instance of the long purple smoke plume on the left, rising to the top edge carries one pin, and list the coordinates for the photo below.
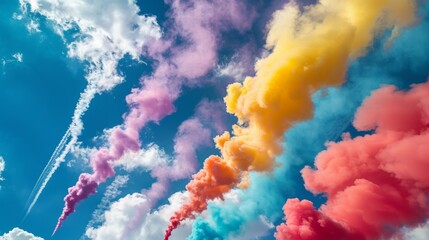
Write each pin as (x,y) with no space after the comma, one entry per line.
(198,25)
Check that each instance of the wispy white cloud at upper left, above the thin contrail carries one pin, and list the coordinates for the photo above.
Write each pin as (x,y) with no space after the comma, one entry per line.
(107,30)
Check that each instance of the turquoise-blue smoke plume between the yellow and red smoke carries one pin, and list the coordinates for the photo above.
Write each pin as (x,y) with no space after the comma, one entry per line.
(405,62)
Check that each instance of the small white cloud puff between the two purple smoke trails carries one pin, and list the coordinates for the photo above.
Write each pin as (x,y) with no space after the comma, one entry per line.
(144,159)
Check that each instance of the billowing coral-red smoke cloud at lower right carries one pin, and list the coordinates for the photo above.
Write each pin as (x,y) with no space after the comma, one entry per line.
(376,184)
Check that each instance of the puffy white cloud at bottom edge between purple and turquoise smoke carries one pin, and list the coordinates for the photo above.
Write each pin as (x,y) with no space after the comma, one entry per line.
(122,212)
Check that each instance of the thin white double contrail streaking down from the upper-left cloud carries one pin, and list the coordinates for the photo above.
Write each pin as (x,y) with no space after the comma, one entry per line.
(73,132)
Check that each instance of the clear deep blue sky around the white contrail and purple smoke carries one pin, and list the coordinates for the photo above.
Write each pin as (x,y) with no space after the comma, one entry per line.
(38,96)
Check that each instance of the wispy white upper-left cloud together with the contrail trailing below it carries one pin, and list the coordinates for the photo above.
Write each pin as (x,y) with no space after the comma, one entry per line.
(98,43)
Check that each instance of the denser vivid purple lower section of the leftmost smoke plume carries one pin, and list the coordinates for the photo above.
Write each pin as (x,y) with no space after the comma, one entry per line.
(149,104)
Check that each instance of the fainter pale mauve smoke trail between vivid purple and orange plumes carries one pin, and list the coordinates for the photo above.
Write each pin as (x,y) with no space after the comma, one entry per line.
(192,134)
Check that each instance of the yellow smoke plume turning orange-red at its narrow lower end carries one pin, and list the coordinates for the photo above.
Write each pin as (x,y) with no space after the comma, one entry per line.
(304,58)
